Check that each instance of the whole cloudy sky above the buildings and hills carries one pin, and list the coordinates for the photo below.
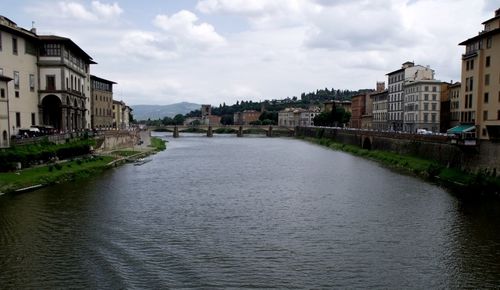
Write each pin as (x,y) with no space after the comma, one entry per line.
(214,51)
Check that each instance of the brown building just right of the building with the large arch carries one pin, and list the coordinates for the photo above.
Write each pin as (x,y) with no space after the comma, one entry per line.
(101,105)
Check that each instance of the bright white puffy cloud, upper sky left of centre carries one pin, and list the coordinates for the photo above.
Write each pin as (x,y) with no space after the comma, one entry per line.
(182,27)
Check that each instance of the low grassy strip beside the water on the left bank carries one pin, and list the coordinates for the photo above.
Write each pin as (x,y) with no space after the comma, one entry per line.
(53,173)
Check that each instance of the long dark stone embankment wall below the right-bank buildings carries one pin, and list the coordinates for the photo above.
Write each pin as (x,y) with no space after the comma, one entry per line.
(486,156)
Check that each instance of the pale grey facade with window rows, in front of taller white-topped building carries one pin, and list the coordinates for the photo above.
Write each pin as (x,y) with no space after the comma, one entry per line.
(422,105)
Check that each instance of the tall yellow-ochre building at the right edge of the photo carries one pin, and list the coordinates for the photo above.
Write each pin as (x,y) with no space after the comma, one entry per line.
(480,91)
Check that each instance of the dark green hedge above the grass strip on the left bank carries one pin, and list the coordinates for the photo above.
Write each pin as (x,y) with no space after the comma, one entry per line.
(43,152)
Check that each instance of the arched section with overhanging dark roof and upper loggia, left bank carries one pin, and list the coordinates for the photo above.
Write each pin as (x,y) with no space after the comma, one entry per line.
(64,78)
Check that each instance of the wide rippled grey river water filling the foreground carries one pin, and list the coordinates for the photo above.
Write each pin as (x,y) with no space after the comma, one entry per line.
(229,212)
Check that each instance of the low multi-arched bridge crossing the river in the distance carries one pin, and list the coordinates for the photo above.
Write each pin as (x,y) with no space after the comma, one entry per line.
(239,130)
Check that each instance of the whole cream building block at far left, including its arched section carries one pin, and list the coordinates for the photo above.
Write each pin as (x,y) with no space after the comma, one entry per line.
(51,80)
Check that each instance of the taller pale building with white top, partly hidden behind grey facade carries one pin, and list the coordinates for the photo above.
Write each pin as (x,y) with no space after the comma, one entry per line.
(409,72)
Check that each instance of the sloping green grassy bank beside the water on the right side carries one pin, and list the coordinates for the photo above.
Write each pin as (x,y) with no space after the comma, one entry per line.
(473,183)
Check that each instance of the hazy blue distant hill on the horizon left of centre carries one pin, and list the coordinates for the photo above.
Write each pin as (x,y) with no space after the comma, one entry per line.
(154,112)
